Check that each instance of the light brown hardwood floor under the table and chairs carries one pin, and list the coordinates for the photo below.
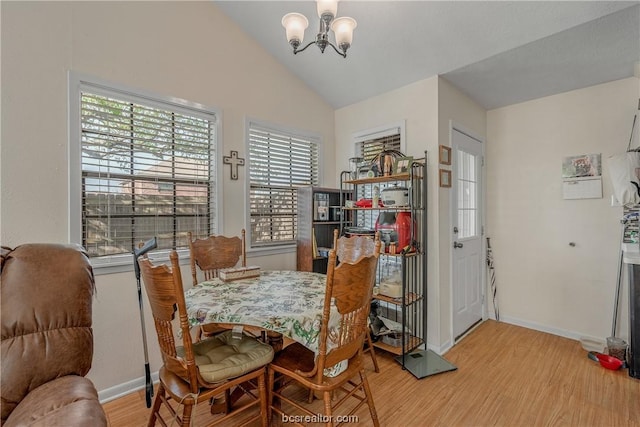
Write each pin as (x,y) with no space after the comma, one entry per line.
(506,376)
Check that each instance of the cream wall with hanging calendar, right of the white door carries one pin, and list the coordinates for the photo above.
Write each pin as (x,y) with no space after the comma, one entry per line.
(543,282)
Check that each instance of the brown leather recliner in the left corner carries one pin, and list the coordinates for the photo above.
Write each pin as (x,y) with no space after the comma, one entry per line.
(47,340)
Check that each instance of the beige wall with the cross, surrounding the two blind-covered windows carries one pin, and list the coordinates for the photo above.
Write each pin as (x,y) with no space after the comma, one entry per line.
(187,50)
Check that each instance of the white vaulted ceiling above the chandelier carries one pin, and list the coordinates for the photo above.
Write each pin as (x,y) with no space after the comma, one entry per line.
(498,52)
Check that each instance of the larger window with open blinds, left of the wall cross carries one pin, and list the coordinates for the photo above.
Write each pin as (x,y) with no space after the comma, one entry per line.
(147,167)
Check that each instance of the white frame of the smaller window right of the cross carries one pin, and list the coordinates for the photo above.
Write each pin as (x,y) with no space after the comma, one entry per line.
(275,248)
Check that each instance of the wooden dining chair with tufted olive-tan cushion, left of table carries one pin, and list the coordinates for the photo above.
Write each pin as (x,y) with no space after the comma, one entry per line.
(198,372)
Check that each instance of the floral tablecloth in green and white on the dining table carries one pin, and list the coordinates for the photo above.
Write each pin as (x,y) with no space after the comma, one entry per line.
(288,302)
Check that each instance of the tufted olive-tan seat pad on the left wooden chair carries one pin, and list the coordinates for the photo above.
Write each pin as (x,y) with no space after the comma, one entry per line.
(222,356)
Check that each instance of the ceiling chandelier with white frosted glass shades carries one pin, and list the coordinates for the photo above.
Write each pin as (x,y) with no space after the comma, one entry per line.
(296,23)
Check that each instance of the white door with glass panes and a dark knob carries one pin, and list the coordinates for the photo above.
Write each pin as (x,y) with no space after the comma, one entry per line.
(466,223)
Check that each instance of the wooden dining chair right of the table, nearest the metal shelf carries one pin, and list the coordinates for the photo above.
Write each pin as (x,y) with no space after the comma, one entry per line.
(349,288)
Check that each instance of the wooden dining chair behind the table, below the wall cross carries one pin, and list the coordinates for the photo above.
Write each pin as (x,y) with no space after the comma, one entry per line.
(209,256)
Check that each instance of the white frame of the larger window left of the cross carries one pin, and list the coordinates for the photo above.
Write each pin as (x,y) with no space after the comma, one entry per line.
(78,82)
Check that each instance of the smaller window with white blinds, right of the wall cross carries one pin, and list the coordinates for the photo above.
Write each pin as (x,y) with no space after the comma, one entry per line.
(279,162)
